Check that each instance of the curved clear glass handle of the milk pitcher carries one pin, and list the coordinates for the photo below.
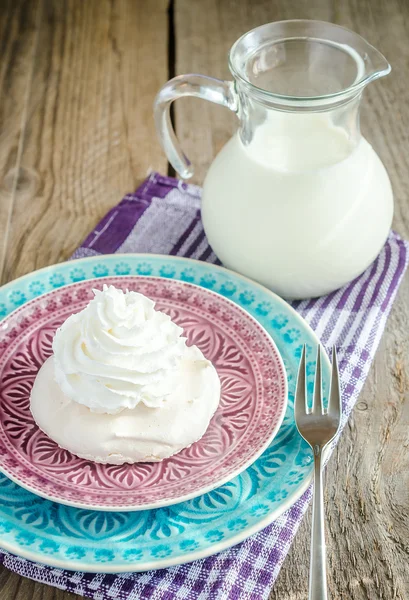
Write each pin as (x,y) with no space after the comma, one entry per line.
(198,86)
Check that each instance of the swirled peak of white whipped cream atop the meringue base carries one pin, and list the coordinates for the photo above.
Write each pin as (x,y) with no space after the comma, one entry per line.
(118,352)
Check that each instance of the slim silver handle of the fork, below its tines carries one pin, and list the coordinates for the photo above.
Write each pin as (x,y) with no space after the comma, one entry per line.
(318,567)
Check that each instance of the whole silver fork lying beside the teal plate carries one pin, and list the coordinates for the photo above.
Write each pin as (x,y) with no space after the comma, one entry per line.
(318,427)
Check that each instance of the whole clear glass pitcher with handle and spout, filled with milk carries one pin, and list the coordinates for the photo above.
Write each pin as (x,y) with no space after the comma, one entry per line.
(297,200)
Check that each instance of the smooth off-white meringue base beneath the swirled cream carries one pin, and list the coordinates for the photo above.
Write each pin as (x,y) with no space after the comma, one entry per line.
(141,434)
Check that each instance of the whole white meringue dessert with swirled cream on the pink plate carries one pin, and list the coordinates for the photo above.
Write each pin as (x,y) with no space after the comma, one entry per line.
(122,386)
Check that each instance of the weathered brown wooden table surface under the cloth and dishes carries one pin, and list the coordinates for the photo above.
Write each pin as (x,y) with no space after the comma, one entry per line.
(77,81)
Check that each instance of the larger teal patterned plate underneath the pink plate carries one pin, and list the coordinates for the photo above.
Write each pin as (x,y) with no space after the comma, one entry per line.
(96,541)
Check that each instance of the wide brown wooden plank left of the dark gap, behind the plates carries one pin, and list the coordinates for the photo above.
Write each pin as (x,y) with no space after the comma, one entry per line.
(89,136)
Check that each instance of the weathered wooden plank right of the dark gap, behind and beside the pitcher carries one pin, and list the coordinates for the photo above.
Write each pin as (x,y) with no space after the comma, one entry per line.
(368,477)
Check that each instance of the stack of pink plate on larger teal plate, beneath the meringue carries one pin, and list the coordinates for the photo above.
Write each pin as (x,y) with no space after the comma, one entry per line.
(249,467)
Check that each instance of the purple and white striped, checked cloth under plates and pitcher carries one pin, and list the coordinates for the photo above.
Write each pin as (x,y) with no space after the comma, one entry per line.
(163,217)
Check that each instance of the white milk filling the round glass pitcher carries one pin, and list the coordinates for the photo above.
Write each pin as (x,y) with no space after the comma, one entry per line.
(302,208)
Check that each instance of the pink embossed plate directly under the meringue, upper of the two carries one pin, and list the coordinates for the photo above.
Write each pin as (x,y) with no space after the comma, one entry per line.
(252,406)
